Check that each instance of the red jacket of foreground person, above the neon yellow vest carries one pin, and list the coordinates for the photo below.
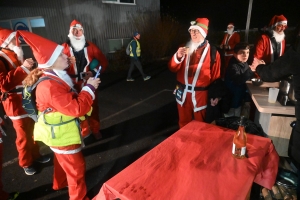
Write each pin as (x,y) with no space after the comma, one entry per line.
(56,94)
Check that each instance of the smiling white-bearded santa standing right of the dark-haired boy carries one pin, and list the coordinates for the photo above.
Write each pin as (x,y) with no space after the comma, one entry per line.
(271,45)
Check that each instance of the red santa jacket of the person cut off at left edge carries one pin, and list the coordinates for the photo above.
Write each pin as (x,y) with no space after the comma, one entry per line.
(11,80)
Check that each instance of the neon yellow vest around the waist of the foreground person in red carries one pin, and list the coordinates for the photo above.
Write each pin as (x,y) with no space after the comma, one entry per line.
(57,129)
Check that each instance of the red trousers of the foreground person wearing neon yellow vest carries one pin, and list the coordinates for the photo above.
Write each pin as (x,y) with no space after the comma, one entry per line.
(69,170)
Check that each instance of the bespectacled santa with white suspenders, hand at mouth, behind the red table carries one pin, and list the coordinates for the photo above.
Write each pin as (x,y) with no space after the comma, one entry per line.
(192,64)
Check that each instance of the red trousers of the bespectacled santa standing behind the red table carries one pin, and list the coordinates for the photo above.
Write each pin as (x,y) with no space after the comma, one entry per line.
(186,112)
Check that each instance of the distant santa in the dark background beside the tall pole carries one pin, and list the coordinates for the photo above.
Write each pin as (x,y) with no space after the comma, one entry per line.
(231,38)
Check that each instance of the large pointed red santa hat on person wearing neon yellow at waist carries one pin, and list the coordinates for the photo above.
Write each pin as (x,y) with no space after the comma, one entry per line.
(45,51)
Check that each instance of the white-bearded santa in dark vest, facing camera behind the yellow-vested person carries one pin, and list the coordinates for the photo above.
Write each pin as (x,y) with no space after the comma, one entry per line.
(85,53)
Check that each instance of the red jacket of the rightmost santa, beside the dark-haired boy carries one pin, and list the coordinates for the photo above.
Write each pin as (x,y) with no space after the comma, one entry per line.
(264,50)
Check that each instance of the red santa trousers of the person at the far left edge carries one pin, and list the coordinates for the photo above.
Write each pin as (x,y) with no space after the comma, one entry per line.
(27,148)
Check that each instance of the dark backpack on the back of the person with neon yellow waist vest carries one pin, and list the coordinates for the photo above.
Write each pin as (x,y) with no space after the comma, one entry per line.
(28,98)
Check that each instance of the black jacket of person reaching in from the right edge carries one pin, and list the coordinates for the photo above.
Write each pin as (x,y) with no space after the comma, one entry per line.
(286,65)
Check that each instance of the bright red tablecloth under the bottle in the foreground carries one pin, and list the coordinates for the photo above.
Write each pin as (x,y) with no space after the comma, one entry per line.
(195,163)
